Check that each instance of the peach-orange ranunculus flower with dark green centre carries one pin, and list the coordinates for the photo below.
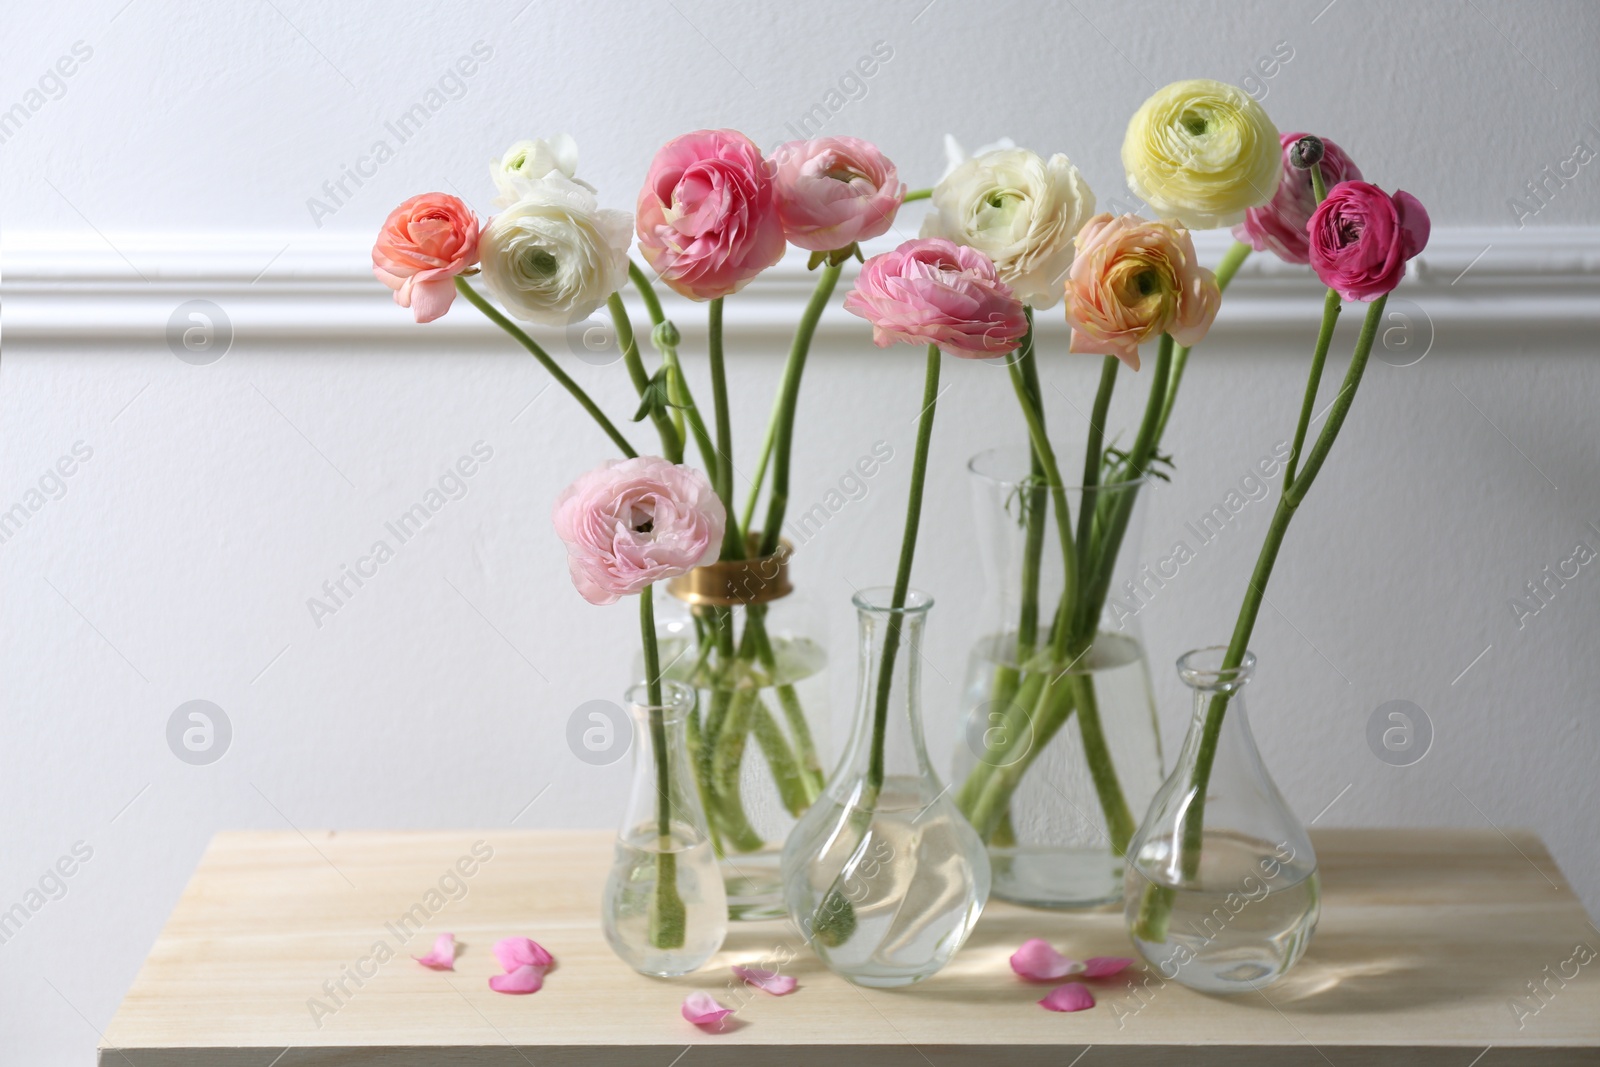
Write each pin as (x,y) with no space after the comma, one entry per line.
(1135,281)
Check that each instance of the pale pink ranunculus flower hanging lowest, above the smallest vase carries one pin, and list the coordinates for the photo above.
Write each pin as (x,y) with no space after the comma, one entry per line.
(634,522)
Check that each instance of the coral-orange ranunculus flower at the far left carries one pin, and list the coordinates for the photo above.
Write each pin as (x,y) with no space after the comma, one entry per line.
(425,244)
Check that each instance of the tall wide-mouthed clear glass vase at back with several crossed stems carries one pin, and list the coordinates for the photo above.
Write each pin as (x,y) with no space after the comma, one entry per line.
(1060,749)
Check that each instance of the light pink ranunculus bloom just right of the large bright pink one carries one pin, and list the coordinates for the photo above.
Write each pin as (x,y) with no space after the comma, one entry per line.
(834,193)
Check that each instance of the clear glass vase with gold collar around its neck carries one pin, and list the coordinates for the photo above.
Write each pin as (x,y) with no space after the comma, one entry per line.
(743,641)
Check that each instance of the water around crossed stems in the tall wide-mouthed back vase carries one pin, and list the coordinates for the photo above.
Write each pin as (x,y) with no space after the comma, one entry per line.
(1052,849)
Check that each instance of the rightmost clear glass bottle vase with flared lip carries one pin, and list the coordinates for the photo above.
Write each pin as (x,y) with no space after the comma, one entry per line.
(1222,892)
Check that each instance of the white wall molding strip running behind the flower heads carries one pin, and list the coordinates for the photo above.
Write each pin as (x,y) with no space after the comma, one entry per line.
(84,289)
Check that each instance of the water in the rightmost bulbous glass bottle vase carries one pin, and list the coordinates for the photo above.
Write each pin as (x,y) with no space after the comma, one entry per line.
(1242,924)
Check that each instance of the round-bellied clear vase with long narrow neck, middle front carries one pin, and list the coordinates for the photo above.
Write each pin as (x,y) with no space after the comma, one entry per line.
(884,877)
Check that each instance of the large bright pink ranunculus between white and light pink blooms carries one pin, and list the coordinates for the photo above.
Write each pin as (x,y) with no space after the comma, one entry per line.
(708,218)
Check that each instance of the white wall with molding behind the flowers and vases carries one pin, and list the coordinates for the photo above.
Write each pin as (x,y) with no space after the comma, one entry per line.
(177,565)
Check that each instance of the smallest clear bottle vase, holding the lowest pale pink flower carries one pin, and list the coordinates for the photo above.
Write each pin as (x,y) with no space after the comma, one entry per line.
(665,911)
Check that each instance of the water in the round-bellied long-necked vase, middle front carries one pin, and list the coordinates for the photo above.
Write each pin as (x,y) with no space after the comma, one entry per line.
(889,897)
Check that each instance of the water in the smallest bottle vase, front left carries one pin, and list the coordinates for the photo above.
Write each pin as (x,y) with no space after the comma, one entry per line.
(631,895)
